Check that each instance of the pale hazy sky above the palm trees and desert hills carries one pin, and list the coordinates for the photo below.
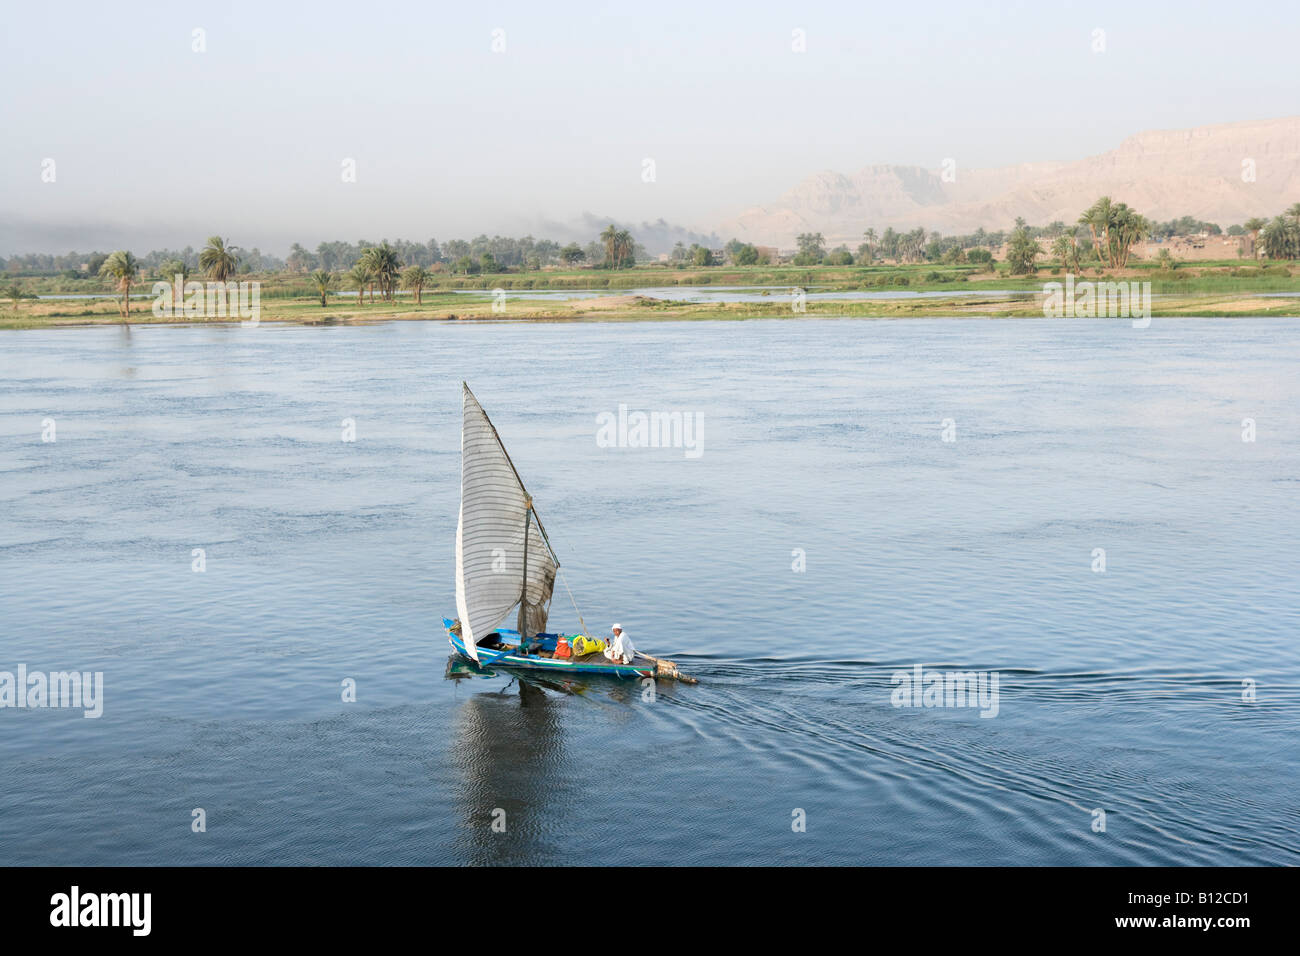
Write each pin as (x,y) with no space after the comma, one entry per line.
(158,145)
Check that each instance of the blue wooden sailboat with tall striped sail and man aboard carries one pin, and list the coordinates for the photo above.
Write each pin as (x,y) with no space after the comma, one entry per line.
(505,561)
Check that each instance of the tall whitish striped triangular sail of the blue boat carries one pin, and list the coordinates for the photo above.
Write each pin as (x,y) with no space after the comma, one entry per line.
(491,538)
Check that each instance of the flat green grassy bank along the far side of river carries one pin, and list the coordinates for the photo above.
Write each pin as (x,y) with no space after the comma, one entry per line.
(1204,289)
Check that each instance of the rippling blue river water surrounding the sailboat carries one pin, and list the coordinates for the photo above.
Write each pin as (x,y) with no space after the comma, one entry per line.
(820,540)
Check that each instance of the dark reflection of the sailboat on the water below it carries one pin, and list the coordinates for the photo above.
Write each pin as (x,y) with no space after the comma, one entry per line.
(517,785)
